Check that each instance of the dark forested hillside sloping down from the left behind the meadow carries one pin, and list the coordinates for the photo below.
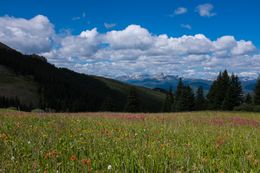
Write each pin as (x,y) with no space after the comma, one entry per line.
(33,79)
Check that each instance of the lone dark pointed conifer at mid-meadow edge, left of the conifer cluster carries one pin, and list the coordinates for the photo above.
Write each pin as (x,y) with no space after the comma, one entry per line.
(132,104)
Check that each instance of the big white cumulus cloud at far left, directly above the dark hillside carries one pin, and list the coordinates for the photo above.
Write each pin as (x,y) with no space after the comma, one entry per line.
(27,35)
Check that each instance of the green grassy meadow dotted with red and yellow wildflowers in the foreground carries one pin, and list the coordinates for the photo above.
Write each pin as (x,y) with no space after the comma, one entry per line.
(90,142)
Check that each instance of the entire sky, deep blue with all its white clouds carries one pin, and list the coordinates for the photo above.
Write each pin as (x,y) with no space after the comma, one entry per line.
(66,21)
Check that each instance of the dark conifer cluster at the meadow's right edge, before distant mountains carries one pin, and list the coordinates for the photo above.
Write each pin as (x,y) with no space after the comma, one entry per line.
(226,93)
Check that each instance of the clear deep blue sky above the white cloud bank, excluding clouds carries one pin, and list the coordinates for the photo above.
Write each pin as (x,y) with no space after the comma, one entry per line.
(234,17)
